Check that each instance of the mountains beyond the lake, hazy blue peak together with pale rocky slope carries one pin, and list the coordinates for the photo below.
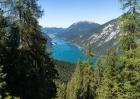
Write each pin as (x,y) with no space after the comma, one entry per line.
(101,37)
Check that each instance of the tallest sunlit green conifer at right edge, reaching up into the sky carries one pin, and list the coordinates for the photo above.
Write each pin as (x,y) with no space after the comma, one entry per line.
(130,59)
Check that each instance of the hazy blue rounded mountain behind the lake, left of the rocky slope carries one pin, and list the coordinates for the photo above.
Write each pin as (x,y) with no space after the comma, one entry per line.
(78,29)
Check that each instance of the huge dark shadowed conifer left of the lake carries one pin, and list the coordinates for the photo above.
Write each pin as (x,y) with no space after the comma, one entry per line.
(30,70)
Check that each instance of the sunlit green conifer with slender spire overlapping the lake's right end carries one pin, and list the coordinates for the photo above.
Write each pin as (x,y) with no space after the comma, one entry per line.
(81,85)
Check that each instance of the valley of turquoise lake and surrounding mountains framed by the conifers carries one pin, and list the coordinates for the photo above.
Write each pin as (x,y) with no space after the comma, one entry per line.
(101,38)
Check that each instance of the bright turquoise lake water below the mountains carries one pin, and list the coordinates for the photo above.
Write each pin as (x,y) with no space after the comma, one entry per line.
(65,51)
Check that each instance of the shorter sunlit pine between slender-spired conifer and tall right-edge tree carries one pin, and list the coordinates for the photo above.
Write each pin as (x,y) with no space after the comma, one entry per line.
(106,77)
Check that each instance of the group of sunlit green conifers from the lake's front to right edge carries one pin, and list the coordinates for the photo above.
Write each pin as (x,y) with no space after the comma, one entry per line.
(117,75)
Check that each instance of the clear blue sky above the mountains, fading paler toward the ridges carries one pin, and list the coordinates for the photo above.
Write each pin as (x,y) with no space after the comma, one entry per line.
(63,13)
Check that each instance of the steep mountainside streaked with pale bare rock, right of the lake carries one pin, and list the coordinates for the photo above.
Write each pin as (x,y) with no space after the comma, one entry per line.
(104,37)
